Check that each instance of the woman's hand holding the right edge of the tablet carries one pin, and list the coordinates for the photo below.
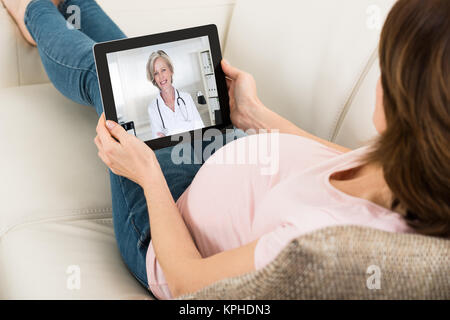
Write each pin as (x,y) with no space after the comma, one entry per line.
(245,106)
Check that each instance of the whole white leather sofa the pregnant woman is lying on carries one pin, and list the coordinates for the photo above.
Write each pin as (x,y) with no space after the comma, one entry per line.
(315,63)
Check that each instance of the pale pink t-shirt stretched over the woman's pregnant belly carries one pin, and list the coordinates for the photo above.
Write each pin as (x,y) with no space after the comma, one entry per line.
(279,196)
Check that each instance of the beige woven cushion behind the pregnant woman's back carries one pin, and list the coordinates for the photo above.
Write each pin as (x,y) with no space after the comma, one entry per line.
(346,262)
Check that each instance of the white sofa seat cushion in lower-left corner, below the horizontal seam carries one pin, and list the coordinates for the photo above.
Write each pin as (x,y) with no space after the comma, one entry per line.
(65,258)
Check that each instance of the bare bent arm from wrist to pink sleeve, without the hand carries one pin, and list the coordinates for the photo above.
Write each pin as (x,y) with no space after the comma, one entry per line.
(184,268)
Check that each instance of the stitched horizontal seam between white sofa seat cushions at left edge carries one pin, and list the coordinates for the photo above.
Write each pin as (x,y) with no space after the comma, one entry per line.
(87,215)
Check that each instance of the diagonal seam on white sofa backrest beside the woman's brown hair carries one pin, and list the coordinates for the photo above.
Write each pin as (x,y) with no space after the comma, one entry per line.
(339,119)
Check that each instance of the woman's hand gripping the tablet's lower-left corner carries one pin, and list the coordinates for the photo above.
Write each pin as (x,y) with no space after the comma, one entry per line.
(129,157)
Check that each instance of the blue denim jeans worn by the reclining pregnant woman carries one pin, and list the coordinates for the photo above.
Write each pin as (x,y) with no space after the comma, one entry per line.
(69,62)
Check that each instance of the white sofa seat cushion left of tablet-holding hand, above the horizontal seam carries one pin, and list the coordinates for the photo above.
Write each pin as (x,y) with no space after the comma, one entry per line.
(49,161)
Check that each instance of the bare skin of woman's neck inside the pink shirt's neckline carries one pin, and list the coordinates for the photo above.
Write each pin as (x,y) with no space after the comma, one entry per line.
(366,182)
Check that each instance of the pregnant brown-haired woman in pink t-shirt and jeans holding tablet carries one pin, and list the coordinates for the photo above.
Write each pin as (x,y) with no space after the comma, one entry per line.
(399,184)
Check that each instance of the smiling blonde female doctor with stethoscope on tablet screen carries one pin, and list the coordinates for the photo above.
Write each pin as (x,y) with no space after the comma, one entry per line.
(172,111)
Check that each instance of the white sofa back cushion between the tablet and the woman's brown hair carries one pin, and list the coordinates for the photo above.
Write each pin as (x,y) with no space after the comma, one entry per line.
(310,59)
